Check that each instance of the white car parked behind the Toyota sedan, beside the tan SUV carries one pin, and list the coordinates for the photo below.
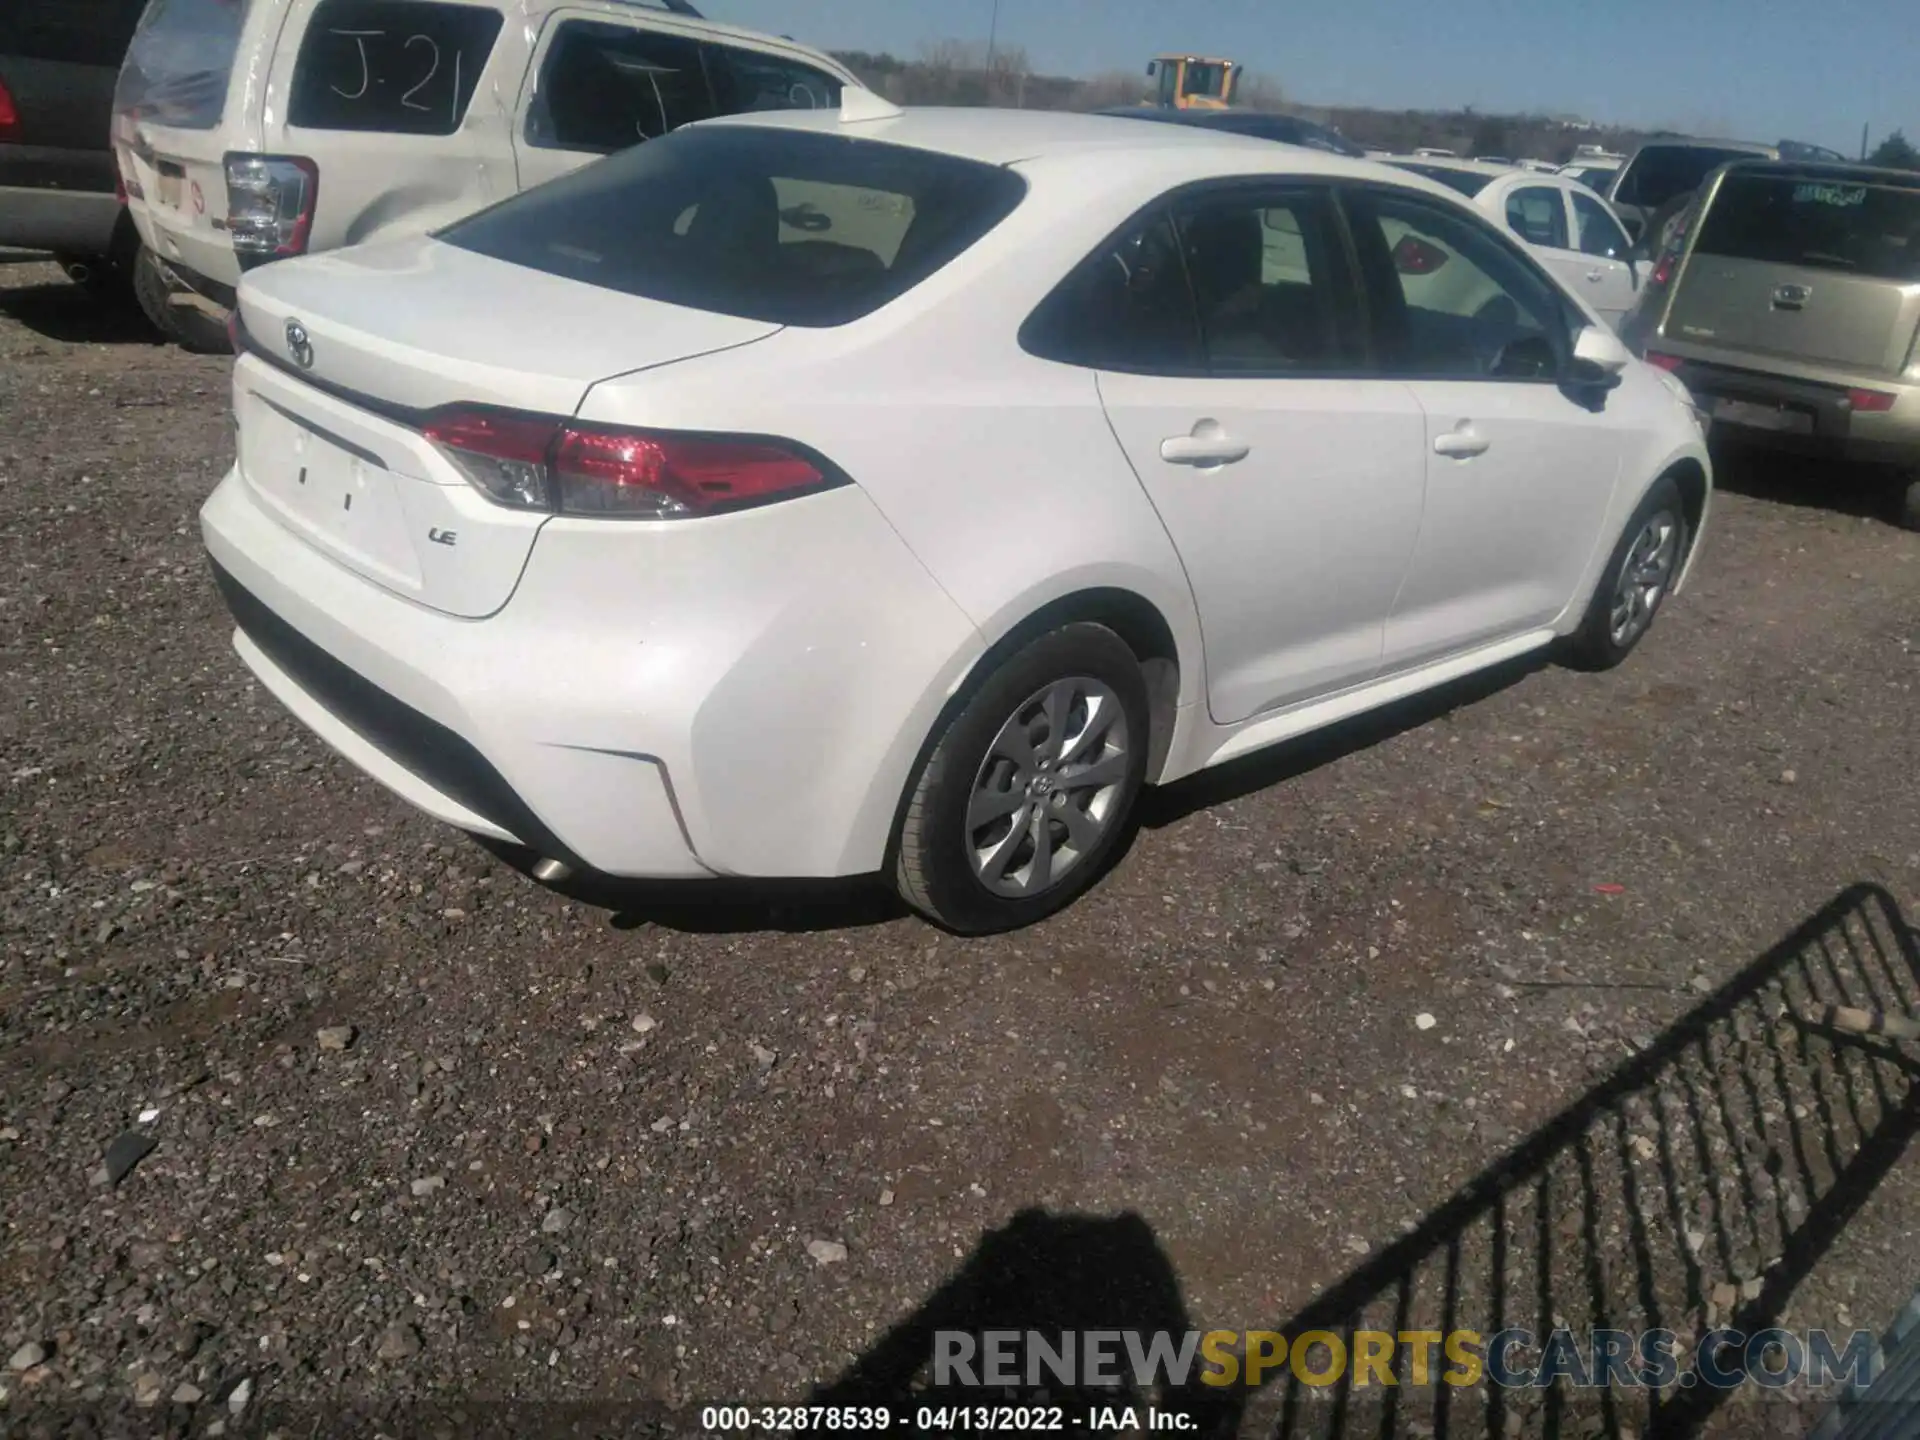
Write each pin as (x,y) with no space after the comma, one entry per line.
(1566,224)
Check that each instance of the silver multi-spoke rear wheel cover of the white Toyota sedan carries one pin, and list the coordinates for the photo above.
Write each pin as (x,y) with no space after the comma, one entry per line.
(1049,790)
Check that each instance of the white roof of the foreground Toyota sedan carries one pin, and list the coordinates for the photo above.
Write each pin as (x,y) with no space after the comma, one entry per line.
(1001,137)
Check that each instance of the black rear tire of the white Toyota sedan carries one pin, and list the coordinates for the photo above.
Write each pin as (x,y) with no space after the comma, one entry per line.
(934,848)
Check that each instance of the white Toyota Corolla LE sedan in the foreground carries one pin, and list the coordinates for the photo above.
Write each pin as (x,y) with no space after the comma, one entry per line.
(827,494)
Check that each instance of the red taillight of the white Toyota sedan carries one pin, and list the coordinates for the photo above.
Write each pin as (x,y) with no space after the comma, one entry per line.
(542,464)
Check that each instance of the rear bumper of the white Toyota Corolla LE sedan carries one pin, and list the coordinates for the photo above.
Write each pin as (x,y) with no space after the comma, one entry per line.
(635,709)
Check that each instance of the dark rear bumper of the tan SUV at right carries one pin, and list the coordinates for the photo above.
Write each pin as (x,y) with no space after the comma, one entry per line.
(1833,427)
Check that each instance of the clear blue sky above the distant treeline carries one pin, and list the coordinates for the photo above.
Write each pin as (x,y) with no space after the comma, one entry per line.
(1760,70)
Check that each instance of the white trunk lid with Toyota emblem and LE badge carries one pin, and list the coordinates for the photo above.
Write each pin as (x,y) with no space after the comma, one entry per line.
(348,354)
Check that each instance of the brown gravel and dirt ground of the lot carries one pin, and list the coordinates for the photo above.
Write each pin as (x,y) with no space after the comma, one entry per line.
(1476,1015)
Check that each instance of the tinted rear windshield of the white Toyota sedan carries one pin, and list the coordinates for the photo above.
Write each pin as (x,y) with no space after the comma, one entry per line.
(756,222)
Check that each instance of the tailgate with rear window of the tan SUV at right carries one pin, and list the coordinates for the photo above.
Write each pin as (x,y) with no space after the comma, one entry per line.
(1806,268)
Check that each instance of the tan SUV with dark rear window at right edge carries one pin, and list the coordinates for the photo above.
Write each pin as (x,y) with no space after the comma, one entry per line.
(1790,306)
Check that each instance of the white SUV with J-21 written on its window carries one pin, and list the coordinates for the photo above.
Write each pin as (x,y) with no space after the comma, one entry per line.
(256,130)
